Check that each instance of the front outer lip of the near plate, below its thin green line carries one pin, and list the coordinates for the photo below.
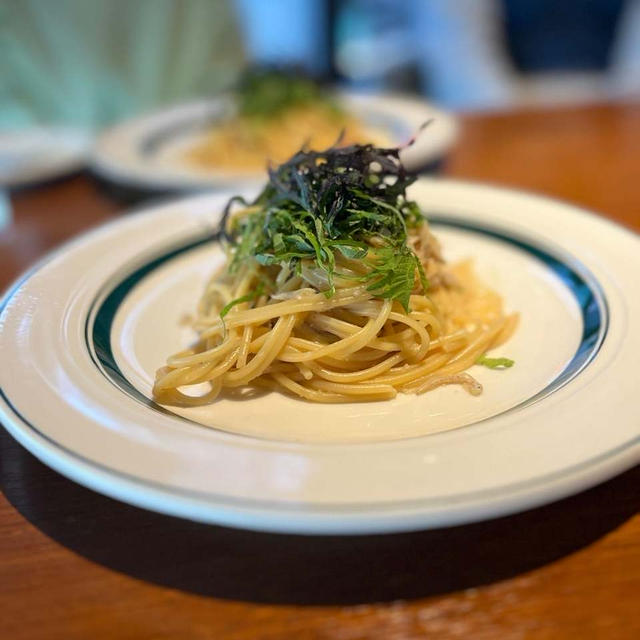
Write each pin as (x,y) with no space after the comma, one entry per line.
(343,519)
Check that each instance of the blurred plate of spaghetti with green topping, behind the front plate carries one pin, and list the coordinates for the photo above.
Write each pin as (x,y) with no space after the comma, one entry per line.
(228,140)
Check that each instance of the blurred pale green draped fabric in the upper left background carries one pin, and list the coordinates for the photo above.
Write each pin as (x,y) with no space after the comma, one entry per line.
(90,63)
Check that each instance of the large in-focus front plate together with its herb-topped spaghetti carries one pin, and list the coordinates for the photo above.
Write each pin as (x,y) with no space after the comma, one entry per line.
(344,350)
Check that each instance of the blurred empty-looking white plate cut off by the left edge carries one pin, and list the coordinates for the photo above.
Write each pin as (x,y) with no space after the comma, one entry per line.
(42,153)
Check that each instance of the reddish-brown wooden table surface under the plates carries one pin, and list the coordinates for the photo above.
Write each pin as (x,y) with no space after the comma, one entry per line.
(77,565)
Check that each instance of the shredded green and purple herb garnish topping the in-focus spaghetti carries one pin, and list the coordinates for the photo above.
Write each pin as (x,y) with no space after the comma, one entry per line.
(350,200)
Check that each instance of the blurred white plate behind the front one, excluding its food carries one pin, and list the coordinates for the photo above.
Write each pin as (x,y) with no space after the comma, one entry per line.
(148,152)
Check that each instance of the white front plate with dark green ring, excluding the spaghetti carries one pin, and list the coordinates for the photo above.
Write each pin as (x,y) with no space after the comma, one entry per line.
(83,332)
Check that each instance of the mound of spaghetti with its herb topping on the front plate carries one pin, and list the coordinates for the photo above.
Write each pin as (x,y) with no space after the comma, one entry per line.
(346,302)
